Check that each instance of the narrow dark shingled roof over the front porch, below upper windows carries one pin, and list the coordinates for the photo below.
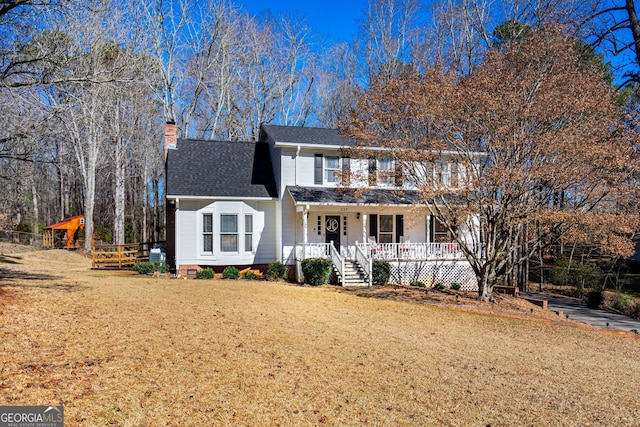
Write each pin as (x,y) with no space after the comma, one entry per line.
(377,196)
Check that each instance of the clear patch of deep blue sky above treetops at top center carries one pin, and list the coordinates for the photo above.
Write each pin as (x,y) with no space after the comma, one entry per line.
(335,19)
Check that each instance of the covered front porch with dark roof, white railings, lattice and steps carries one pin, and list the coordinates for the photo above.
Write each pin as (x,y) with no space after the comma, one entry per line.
(355,231)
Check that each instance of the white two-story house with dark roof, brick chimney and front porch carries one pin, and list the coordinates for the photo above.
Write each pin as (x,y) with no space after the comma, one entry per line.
(292,195)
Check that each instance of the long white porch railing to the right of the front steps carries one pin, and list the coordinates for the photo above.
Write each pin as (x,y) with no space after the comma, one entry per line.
(412,251)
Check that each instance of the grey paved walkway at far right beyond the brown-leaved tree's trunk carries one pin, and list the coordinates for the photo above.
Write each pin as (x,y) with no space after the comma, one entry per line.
(581,313)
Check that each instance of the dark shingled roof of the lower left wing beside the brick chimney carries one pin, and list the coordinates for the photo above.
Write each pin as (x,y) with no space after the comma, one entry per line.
(220,169)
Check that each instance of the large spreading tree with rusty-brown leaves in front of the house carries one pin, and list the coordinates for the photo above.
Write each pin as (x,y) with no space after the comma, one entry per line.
(532,138)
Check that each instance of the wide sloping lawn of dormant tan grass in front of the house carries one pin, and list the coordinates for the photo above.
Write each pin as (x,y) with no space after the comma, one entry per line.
(127,350)
